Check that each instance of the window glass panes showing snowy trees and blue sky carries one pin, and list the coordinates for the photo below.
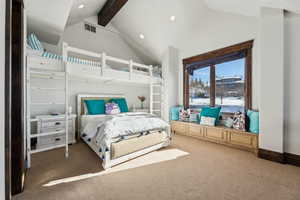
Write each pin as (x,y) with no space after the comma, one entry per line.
(229,86)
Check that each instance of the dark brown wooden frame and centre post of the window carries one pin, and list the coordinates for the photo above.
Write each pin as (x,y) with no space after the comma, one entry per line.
(245,47)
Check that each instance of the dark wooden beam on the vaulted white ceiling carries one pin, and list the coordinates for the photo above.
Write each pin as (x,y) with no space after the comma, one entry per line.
(109,10)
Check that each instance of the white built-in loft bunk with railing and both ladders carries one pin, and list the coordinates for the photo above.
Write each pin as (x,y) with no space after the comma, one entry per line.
(93,69)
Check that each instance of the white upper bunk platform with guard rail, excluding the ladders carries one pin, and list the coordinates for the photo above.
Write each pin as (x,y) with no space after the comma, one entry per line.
(95,68)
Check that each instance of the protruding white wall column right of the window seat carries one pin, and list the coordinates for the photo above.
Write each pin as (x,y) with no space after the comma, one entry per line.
(272,79)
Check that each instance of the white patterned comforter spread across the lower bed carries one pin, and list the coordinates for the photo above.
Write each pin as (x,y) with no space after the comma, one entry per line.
(108,127)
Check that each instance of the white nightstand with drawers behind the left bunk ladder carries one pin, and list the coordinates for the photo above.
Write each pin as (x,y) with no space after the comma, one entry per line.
(54,123)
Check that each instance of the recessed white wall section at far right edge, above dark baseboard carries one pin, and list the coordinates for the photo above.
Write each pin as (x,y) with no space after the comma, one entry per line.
(292,82)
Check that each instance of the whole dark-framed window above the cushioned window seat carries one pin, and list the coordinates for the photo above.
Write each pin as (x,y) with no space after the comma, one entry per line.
(219,78)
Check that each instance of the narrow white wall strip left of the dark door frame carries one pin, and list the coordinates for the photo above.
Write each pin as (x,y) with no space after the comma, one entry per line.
(2,77)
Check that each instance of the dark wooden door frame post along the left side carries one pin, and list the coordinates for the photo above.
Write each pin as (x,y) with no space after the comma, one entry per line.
(14,91)
